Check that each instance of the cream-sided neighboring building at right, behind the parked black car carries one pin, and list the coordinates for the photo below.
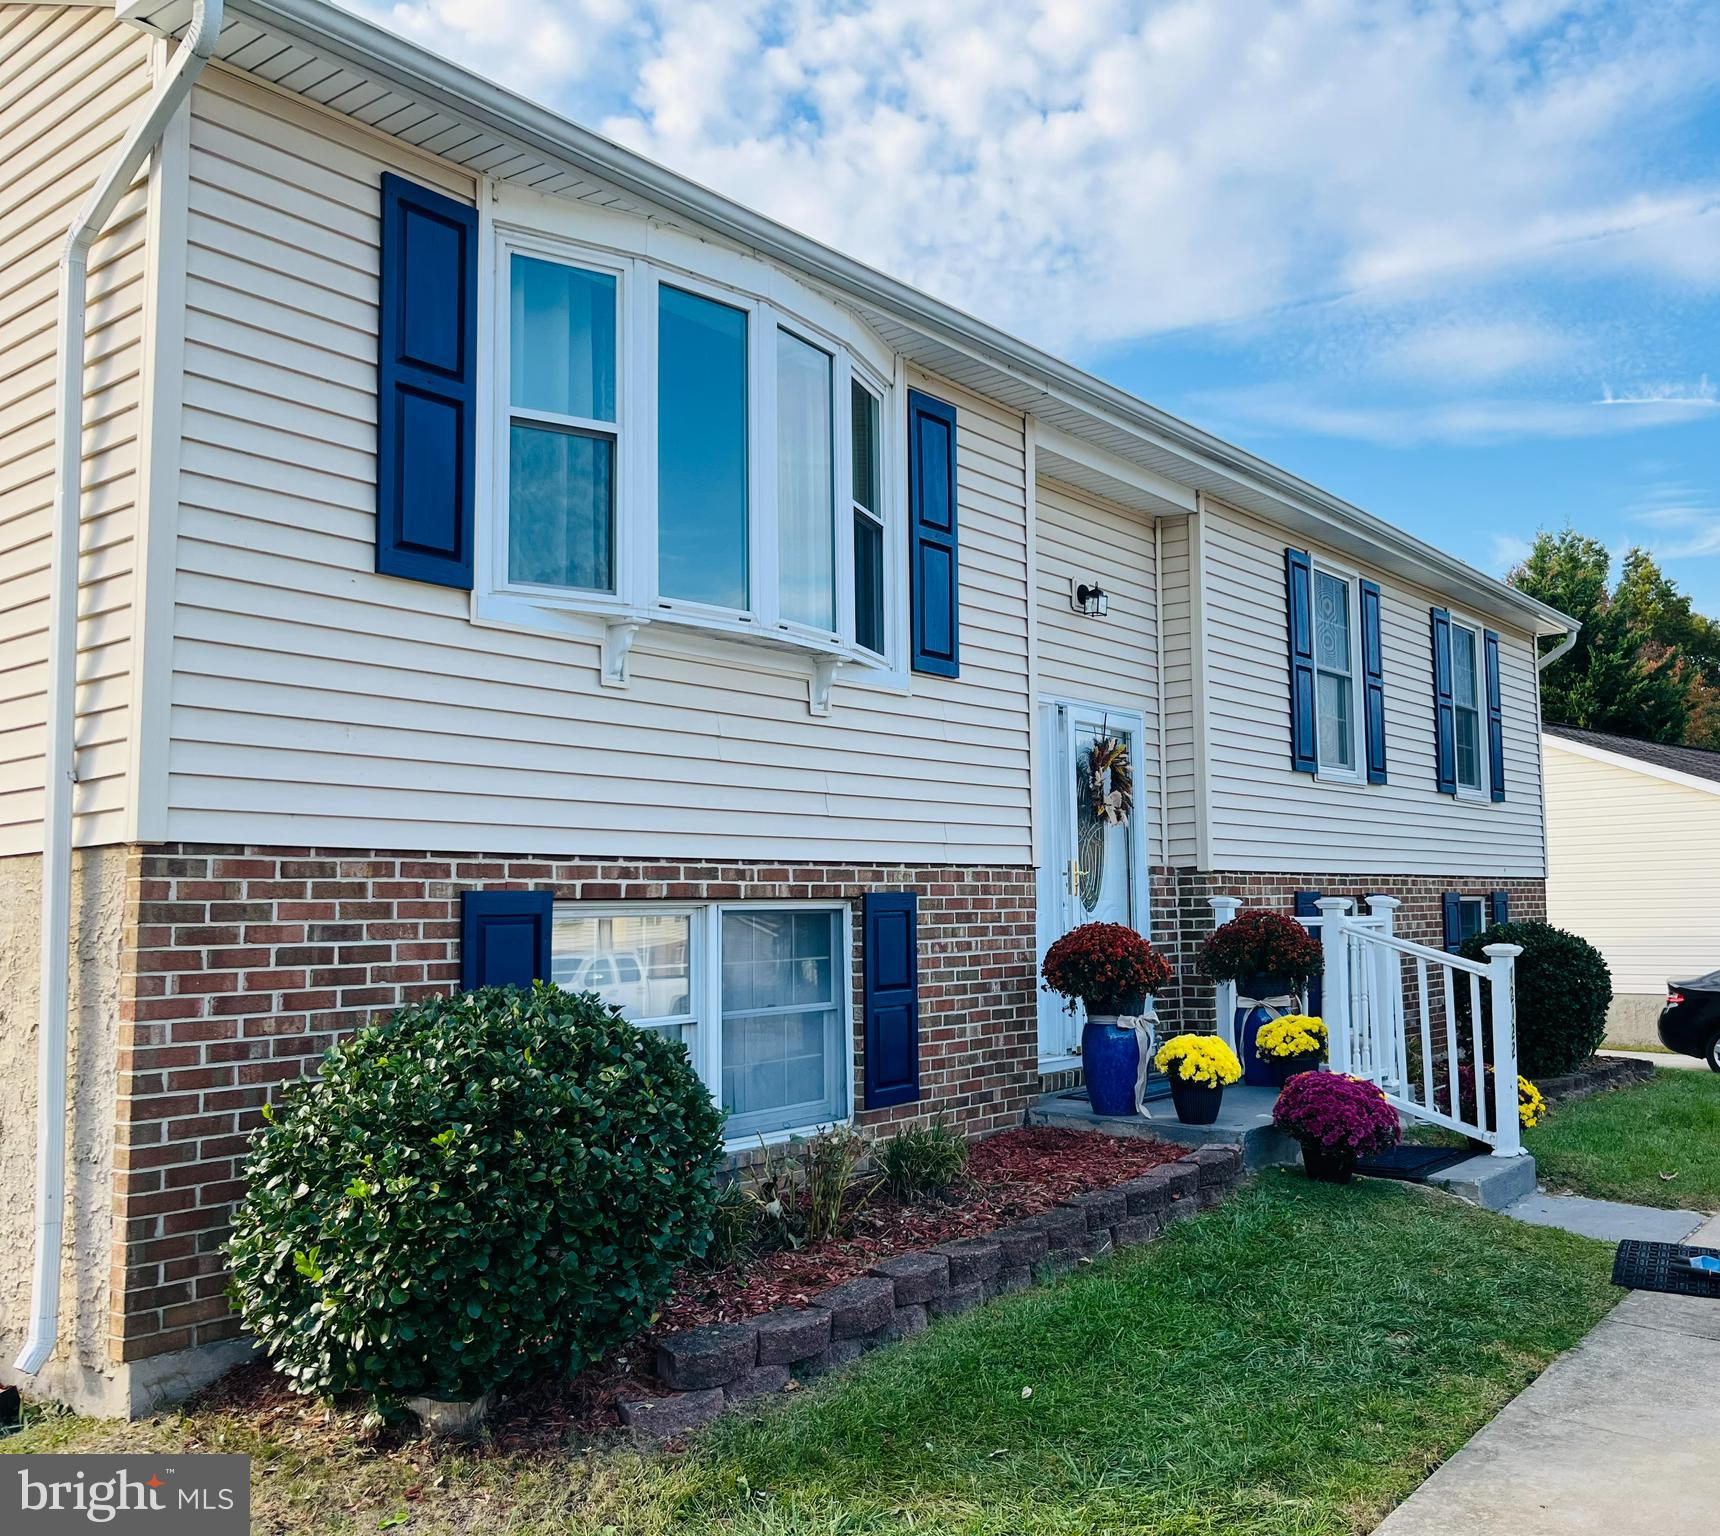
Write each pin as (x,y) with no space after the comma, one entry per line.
(1633,835)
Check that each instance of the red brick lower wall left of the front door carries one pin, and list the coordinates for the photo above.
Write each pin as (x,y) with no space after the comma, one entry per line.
(243,966)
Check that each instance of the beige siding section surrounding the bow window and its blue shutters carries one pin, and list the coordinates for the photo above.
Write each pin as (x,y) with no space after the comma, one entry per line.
(317,703)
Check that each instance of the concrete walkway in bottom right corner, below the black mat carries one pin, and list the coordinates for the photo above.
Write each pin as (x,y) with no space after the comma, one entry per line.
(1616,1437)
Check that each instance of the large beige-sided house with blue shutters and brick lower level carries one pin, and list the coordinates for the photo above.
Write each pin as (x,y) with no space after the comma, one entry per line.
(713,622)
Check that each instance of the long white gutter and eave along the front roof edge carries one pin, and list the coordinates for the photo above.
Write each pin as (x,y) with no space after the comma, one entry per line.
(548,132)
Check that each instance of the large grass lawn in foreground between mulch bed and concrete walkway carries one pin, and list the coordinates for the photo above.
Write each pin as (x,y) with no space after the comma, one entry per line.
(1294,1363)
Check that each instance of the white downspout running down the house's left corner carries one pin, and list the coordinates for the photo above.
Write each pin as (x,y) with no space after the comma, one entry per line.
(63,672)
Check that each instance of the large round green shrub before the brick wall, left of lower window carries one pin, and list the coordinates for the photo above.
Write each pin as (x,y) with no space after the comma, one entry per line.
(479,1189)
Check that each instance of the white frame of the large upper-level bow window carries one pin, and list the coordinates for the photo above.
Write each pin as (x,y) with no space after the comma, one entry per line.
(637,601)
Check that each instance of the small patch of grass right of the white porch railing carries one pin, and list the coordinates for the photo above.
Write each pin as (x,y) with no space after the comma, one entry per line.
(1623,1145)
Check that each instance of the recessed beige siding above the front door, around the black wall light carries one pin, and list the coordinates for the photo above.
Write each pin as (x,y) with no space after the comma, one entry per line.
(1112,661)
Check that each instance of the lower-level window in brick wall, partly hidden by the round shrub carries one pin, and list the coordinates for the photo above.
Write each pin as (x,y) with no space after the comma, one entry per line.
(759,995)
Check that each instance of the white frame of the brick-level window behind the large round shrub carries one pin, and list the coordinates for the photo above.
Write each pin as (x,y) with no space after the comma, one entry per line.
(703,1031)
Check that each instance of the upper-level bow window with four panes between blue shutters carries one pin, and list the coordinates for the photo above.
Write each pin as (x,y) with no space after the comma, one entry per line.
(679,452)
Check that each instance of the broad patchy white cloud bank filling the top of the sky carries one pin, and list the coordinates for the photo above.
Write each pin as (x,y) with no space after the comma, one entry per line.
(1096,171)
